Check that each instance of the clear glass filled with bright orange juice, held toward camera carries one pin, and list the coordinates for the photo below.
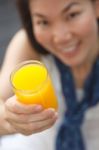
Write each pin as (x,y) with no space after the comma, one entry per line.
(32,84)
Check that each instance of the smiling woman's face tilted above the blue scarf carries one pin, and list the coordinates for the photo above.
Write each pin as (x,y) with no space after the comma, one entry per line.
(66,28)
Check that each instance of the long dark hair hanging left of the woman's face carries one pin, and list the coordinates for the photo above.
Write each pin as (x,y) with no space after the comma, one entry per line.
(23,7)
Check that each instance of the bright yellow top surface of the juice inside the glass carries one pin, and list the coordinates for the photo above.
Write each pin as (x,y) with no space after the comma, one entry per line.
(29,77)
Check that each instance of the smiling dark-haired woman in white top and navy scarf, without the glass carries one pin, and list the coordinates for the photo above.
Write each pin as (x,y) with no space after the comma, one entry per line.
(66,39)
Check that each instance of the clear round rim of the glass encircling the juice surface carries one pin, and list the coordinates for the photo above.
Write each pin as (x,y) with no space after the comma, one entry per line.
(22,64)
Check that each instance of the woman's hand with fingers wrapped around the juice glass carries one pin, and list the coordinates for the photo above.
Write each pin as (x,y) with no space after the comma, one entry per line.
(29,119)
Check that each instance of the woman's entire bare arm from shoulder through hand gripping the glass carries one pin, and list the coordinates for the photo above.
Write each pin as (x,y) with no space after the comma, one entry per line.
(14,116)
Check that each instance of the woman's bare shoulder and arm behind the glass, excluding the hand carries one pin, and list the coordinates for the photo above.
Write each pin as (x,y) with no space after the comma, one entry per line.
(18,50)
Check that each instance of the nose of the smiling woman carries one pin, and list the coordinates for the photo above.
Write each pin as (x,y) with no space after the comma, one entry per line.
(61,34)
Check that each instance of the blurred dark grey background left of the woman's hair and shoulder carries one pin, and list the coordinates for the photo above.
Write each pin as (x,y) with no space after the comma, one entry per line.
(9,24)
